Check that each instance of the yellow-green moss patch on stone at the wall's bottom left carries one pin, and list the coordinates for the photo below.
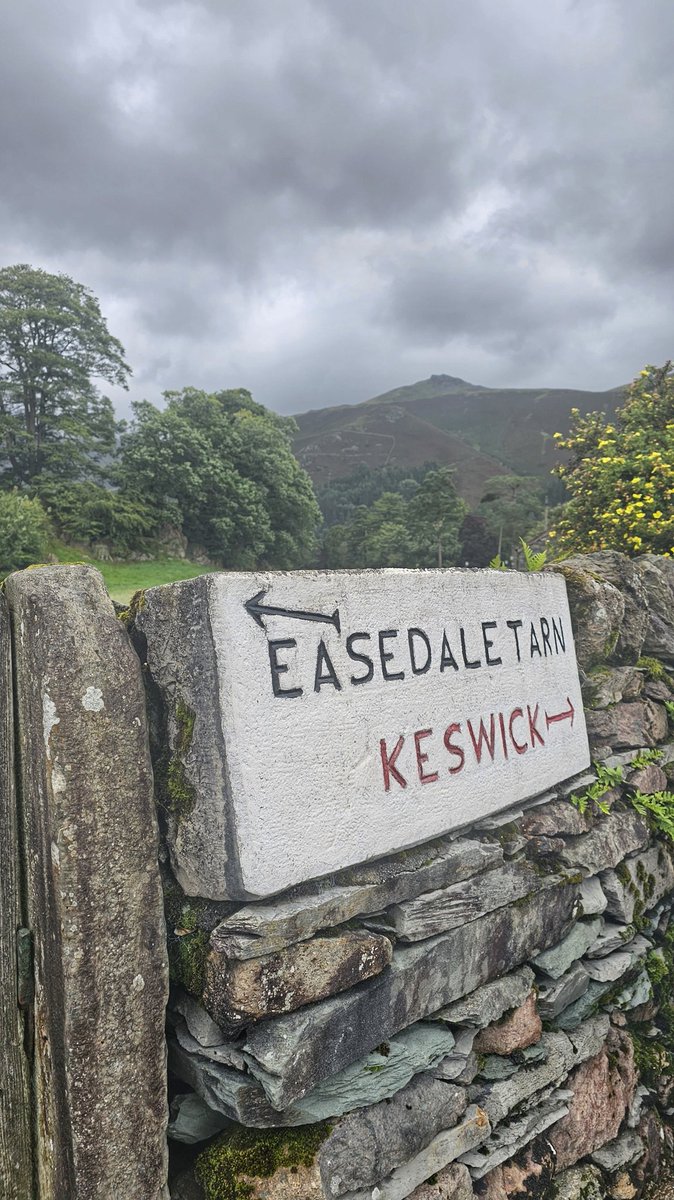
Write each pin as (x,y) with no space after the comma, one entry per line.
(227,1168)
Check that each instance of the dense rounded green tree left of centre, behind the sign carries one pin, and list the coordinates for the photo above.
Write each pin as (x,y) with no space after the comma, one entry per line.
(221,469)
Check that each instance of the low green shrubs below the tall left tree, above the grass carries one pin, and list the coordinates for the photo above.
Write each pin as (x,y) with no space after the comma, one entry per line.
(89,513)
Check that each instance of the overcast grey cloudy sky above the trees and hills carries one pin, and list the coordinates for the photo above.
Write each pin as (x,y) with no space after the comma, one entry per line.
(322,200)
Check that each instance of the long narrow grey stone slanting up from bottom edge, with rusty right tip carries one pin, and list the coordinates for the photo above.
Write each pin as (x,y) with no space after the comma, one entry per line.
(446,1149)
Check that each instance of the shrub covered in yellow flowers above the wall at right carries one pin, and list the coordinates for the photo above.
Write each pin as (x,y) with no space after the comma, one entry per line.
(621,473)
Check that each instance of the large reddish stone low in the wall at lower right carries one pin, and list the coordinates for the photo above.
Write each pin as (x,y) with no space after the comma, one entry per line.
(604,1089)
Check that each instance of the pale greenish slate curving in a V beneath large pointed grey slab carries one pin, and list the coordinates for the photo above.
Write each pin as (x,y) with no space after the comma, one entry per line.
(372,1079)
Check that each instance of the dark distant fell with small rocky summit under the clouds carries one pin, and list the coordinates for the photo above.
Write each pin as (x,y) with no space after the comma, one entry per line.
(479,431)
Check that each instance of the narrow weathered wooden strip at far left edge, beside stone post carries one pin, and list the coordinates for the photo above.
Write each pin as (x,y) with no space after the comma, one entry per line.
(16,1161)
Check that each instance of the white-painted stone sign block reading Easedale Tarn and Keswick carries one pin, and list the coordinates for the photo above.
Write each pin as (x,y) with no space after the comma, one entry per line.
(322,719)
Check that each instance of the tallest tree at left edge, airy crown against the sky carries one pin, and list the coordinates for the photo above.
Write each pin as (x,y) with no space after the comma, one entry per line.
(55,344)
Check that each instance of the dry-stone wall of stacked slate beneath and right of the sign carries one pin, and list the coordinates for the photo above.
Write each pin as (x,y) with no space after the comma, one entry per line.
(486,1016)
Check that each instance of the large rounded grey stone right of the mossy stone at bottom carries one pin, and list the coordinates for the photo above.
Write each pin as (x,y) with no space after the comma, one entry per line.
(368,1147)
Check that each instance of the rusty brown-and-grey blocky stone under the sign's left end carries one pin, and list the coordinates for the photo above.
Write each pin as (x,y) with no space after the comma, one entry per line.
(238,993)
